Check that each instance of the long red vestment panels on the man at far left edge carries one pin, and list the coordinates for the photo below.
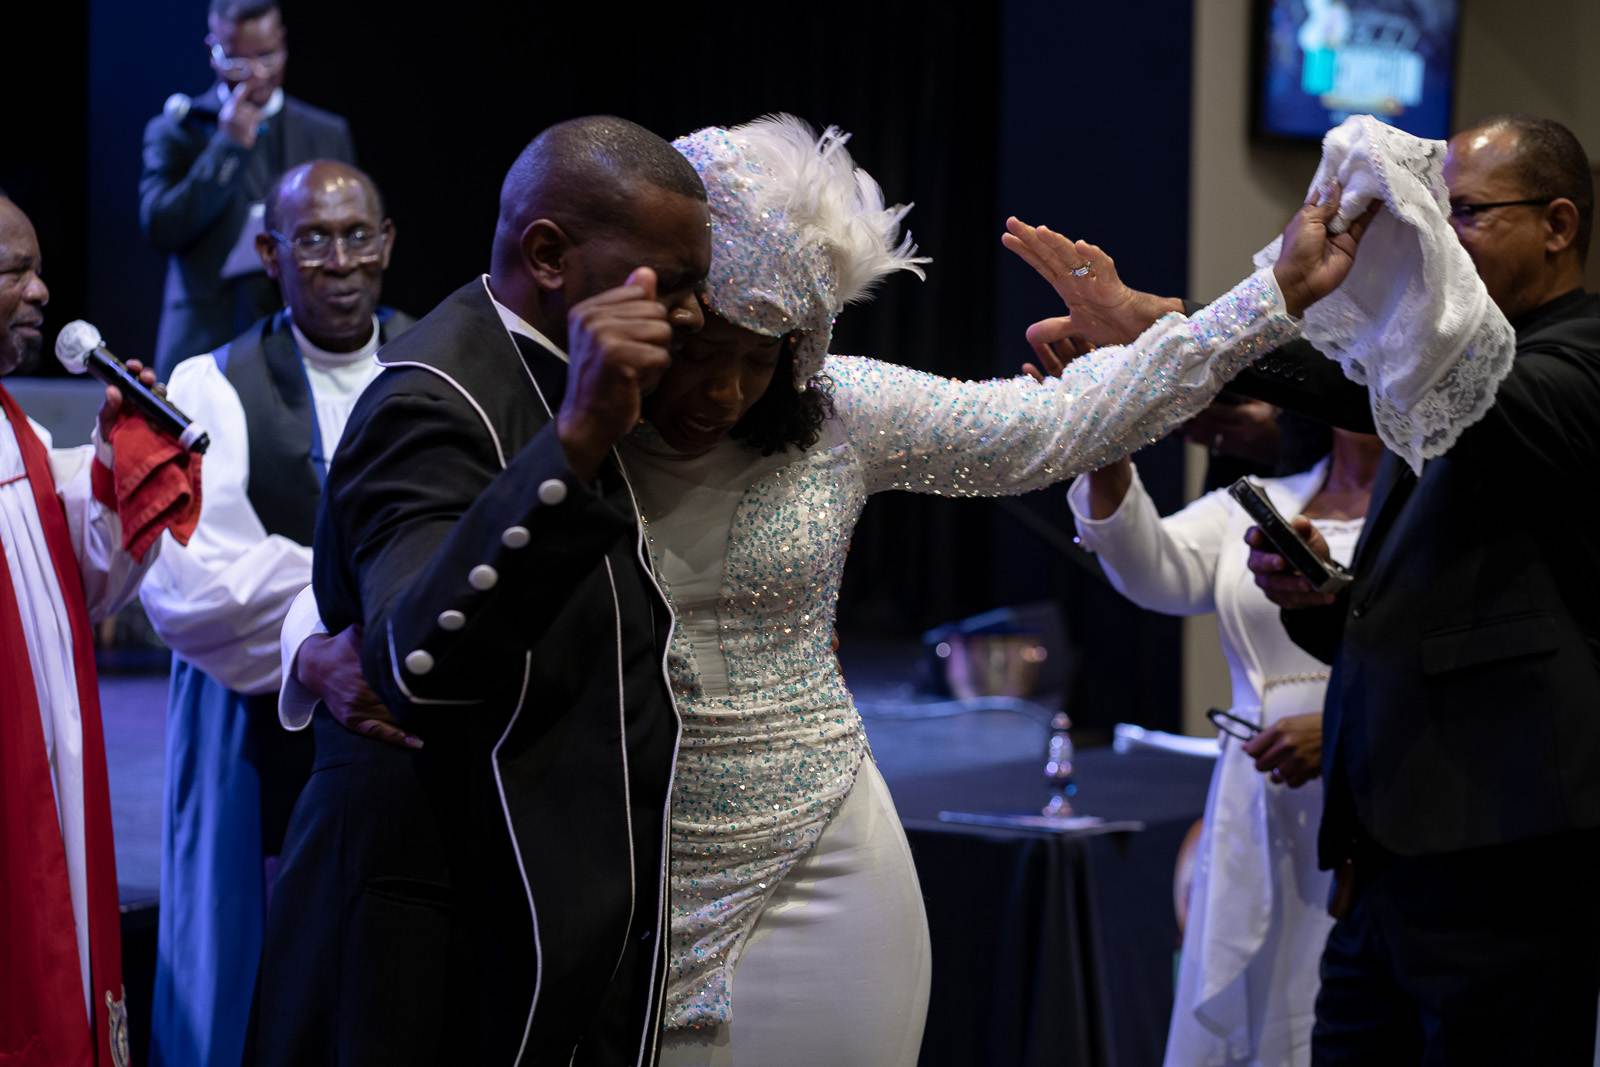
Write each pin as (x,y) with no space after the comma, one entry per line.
(42,1021)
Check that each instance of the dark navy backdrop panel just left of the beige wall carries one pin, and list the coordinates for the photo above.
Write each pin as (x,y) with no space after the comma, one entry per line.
(1094,110)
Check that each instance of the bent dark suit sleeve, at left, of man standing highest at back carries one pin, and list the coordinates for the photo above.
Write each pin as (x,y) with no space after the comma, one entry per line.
(183,193)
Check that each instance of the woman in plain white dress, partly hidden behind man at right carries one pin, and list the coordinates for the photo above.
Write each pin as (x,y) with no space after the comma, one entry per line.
(1258,906)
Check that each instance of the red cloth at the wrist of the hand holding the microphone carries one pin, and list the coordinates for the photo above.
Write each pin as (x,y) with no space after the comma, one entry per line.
(156,486)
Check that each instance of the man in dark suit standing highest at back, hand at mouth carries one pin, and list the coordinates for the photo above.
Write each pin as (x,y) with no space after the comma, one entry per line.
(209,162)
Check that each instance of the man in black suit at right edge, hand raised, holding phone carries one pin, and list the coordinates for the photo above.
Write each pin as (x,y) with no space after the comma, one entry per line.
(1462,735)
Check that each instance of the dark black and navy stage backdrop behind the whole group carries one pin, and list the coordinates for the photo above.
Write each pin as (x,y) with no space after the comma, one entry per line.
(1066,114)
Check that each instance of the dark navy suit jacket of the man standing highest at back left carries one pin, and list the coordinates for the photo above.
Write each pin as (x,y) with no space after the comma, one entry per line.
(194,198)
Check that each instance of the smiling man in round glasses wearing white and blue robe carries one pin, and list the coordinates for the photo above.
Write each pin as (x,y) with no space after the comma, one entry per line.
(276,401)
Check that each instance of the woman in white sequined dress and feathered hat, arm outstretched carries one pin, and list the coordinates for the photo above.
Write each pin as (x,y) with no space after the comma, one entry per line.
(798,924)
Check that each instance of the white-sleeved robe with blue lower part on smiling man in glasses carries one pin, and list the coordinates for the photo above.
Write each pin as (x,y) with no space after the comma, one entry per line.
(220,605)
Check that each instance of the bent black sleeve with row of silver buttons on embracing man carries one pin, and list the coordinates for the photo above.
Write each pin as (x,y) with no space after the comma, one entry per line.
(422,508)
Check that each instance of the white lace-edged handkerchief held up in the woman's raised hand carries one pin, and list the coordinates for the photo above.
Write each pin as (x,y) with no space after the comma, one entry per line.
(1414,321)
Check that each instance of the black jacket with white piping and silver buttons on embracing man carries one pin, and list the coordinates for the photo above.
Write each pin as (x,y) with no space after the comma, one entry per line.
(500,895)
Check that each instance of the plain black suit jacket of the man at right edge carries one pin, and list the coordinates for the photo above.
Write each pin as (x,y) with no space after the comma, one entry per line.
(1465,703)
